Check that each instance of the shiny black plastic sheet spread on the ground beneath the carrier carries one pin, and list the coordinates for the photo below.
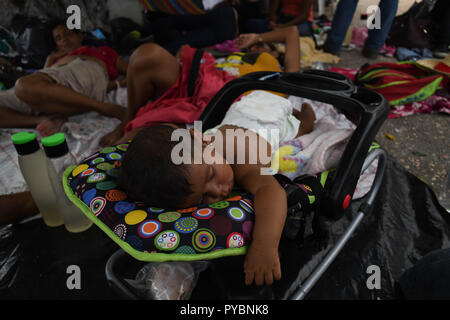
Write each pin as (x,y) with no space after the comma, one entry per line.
(406,223)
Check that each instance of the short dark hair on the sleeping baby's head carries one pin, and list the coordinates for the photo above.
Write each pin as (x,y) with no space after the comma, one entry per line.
(148,173)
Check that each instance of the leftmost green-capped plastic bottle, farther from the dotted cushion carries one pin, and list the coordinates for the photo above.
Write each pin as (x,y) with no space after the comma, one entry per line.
(33,165)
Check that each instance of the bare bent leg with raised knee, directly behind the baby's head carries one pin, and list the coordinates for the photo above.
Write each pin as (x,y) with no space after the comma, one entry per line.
(152,70)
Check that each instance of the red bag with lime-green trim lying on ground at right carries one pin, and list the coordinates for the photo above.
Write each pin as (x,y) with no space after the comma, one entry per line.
(402,82)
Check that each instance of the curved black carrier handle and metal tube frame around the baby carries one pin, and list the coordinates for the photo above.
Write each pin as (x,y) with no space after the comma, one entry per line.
(367,109)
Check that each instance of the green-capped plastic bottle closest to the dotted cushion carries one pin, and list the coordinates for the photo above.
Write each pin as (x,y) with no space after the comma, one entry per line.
(58,159)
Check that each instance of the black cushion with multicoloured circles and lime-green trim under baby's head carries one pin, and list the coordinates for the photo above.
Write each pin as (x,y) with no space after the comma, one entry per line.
(155,234)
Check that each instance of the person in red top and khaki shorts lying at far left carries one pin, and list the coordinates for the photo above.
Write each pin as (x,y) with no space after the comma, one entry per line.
(75,79)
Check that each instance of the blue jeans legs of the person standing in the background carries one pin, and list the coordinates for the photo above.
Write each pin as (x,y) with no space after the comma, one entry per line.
(343,17)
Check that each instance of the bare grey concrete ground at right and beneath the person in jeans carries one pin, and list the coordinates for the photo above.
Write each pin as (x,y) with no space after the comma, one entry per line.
(422,142)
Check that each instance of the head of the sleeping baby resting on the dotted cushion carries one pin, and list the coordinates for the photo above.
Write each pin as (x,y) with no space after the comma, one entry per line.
(150,174)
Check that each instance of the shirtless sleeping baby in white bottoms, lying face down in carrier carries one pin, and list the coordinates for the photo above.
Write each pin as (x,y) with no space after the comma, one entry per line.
(252,128)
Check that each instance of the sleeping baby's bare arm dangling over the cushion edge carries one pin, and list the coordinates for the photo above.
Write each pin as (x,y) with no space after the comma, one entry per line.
(262,263)
